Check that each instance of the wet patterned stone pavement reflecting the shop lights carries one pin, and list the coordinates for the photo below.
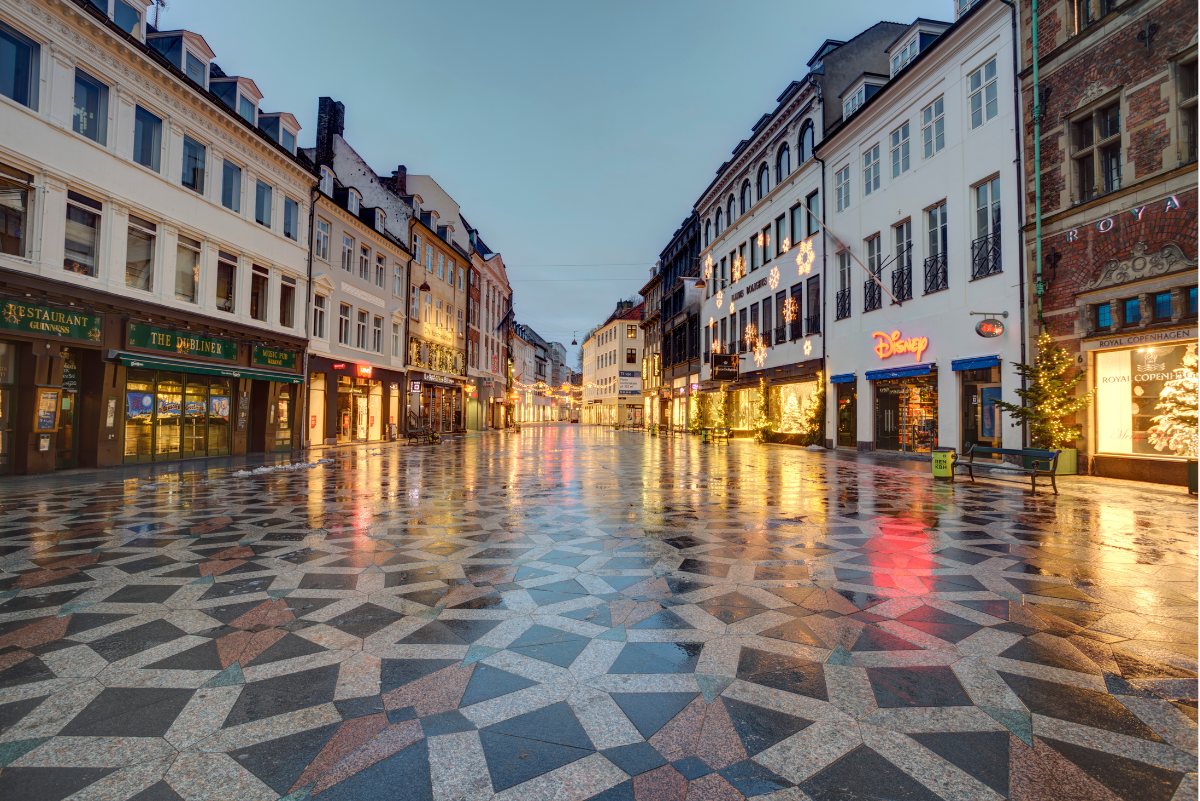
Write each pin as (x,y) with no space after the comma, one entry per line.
(573,613)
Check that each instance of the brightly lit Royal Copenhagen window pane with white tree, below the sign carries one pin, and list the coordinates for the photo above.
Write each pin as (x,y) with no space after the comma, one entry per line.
(1147,401)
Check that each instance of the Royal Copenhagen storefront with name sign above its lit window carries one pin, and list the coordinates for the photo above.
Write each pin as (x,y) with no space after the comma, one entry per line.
(1136,424)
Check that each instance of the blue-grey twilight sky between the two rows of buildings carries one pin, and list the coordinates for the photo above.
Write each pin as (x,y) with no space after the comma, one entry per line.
(571,133)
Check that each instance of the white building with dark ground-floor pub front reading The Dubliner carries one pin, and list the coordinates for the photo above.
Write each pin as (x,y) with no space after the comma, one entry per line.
(153,268)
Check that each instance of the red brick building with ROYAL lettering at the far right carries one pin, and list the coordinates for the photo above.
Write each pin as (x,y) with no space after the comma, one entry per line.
(1118,83)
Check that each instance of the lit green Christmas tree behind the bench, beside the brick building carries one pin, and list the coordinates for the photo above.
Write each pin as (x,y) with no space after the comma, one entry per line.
(1049,398)
